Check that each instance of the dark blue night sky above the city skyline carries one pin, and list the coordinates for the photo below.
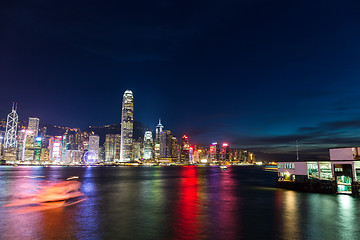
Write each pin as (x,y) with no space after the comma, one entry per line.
(256,74)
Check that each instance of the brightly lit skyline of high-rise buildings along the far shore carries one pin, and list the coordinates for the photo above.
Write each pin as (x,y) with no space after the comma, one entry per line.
(31,145)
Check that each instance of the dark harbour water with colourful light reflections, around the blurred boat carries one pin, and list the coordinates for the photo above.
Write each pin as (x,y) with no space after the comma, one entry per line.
(173,203)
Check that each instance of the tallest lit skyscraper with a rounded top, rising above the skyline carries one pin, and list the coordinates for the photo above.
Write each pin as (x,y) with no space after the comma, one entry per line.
(127,126)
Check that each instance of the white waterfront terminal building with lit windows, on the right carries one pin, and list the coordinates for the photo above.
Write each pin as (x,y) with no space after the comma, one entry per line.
(340,174)
